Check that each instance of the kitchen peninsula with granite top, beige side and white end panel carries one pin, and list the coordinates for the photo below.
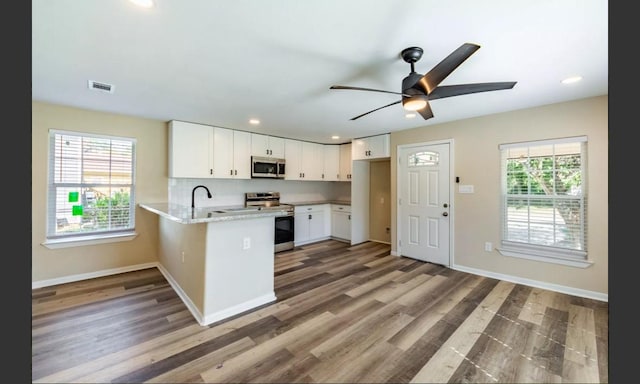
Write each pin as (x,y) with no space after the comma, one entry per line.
(219,260)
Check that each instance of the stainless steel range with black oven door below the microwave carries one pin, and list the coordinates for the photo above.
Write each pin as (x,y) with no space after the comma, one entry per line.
(284,232)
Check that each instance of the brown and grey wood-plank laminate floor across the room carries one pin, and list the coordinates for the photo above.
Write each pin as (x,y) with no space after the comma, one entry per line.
(344,314)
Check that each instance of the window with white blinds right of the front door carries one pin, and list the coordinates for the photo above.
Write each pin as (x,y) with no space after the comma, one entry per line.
(544,204)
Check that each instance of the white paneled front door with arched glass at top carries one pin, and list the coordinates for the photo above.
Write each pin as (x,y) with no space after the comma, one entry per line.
(424,202)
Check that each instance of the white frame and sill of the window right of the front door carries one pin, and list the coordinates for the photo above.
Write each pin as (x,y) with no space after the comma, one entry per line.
(539,252)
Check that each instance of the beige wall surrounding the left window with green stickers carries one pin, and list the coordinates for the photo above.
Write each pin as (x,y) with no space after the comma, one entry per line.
(151,186)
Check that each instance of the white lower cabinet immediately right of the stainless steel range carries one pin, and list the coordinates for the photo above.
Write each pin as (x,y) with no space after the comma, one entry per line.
(311,223)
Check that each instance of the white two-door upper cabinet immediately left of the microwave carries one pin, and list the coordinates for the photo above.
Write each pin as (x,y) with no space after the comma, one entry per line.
(231,154)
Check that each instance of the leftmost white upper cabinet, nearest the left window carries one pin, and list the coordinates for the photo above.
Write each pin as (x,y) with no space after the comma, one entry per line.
(190,150)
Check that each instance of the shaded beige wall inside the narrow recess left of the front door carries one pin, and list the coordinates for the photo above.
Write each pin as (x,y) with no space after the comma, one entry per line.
(380,200)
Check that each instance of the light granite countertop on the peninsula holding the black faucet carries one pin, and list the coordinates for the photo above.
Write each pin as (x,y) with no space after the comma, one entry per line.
(188,215)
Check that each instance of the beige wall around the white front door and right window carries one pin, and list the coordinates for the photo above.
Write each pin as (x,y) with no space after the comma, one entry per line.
(476,160)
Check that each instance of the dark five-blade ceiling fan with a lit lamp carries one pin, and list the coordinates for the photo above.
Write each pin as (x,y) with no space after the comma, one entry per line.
(418,89)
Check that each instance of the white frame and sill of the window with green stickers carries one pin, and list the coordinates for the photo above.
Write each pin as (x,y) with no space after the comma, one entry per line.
(53,239)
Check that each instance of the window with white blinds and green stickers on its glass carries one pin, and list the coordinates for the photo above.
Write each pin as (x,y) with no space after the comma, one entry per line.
(91,185)
